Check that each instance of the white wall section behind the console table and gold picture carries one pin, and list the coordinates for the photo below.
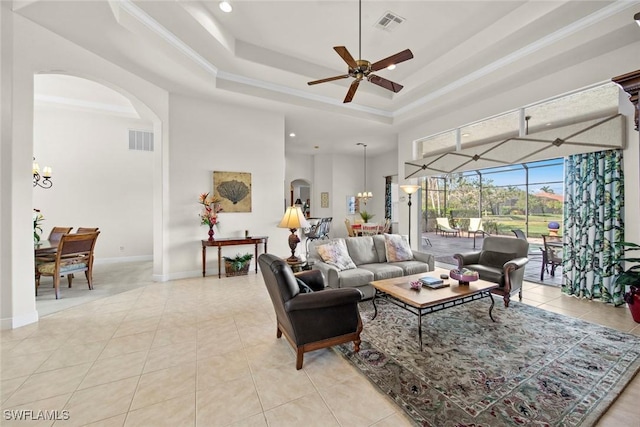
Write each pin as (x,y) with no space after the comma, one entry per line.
(207,137)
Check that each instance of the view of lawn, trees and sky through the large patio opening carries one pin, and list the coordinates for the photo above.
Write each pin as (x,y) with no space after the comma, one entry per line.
(526,196)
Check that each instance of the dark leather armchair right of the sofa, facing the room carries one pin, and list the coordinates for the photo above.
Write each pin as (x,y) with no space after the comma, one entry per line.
(501,260)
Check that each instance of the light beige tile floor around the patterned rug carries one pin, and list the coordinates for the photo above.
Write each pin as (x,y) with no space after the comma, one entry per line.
(203,352)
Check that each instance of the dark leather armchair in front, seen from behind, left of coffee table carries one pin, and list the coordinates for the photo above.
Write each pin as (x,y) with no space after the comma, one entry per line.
(315,320)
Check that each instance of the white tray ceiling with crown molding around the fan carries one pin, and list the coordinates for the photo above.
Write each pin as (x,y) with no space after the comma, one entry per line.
(264,52)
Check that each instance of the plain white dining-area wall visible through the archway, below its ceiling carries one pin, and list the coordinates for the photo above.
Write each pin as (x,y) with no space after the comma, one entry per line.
(98,181)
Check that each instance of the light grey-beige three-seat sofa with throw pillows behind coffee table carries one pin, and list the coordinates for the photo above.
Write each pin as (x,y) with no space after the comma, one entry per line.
(370,258)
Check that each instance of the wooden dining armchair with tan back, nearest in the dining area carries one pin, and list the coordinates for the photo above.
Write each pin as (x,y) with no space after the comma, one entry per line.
(74,254)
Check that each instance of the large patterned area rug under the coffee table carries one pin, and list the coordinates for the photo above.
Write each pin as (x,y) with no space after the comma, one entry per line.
(530,367)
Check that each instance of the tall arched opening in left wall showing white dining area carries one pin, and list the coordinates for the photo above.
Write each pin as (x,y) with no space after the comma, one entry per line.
(101,150)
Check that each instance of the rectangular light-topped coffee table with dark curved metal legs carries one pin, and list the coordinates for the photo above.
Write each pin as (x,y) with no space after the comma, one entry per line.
(399,292)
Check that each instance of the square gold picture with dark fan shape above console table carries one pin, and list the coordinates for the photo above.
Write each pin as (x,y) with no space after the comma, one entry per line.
(234,190)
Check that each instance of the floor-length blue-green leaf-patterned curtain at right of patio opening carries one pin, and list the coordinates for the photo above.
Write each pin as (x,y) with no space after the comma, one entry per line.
(593,223)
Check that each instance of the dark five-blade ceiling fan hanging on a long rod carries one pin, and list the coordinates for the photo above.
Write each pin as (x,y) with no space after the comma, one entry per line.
(361,68)
